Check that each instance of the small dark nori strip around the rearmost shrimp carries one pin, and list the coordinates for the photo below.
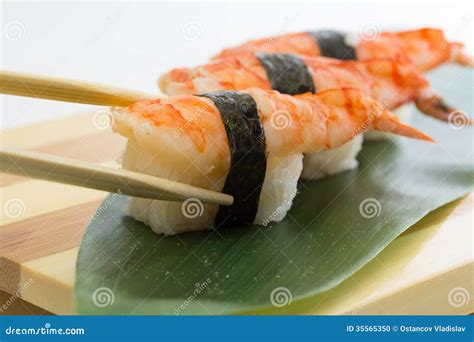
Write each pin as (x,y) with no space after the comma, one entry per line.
(332,44)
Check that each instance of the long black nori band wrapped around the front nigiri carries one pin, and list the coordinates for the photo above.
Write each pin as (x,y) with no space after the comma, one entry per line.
(248,158)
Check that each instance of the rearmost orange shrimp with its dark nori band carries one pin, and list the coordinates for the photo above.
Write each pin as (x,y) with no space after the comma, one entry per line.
(427,48)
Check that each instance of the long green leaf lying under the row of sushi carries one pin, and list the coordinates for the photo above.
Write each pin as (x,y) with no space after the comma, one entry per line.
(336,226)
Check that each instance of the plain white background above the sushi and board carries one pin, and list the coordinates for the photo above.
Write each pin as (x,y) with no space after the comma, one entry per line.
(130,44)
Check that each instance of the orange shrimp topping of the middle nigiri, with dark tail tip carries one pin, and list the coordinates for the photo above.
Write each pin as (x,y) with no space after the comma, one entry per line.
(391,81)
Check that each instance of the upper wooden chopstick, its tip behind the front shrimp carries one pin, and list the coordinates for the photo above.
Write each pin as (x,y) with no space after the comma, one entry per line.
(44,87)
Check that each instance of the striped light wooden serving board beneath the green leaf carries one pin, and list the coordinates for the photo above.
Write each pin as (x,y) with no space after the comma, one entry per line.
(427,270)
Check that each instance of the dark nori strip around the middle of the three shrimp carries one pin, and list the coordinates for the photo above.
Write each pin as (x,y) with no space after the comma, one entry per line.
(287,73)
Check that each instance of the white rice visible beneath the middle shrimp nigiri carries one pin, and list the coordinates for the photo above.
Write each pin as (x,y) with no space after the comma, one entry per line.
(326,163)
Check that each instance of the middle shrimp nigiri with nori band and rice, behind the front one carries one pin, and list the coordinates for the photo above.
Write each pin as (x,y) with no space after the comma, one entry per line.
(391,81)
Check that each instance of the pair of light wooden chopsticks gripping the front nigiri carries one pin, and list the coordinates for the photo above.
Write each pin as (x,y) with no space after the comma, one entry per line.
(62,170)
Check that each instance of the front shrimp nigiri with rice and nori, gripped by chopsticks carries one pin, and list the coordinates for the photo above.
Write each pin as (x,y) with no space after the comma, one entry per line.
(230,142)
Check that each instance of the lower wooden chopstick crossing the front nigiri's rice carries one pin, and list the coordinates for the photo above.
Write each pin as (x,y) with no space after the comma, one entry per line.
(62,170)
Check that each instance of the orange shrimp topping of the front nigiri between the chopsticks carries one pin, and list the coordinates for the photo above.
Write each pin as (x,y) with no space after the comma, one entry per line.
(313,122)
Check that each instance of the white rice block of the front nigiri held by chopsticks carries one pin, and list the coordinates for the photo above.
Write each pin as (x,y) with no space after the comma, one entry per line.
(155,151)
